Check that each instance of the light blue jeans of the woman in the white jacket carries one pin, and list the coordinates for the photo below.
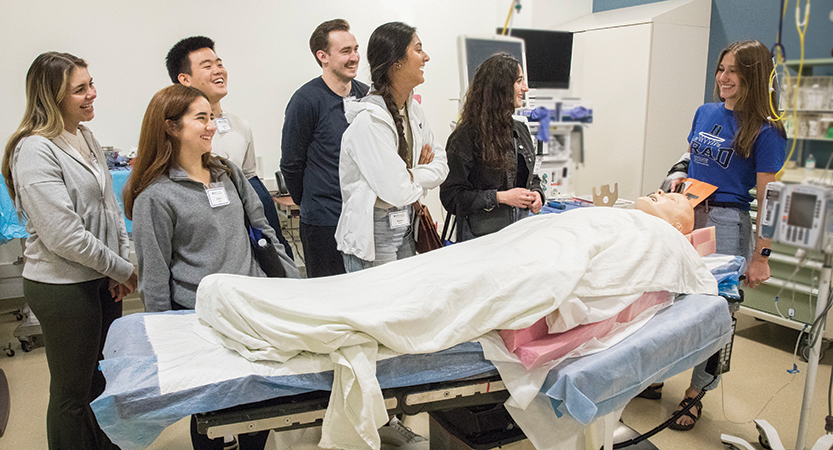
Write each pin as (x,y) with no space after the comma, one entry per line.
(390,244)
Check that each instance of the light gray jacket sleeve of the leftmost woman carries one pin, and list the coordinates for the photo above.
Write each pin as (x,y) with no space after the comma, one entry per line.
(40,187)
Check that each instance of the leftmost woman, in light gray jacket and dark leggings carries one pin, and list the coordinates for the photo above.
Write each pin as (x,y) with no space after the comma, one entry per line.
(77,267)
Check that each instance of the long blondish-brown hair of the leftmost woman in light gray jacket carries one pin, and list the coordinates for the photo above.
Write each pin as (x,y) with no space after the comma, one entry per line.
(46,86)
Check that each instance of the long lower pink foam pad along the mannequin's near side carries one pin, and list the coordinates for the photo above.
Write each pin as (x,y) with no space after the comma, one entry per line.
(557,345)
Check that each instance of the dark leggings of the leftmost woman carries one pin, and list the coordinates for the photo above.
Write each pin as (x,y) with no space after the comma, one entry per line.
(74,319)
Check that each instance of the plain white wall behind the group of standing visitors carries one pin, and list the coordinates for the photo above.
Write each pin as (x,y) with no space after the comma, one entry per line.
(264,44)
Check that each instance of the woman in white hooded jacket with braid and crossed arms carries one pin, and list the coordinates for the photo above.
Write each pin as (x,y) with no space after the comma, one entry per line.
(389,158)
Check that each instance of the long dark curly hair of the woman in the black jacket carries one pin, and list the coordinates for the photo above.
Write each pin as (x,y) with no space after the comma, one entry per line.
(488,108)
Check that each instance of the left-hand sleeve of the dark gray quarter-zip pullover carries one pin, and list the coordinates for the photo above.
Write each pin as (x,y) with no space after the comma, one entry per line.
(153,234)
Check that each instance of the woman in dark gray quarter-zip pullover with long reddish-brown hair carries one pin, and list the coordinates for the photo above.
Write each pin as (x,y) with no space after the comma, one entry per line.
(188,208)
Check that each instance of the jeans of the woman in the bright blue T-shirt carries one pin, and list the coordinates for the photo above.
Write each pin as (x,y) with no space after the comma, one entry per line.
(733,236)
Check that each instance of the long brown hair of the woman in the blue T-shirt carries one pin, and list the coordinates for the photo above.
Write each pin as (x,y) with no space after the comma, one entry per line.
(753,65)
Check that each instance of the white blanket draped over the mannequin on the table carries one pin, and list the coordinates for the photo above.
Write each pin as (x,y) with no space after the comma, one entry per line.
(507,280)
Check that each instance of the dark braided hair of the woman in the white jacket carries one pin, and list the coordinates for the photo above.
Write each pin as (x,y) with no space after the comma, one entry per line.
(387,45)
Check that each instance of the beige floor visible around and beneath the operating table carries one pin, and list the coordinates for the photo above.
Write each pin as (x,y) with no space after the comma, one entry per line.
(762,355)
